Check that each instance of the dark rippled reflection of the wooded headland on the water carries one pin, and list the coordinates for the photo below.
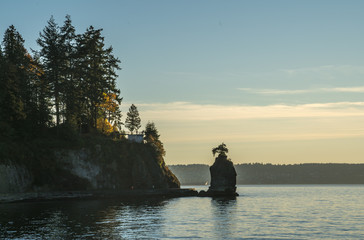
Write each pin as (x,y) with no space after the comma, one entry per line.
(80,219)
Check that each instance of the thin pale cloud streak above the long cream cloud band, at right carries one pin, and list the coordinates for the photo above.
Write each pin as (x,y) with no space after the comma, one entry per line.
(358,89)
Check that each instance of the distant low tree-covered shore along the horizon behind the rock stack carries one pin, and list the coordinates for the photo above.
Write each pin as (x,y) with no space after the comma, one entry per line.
(257,173)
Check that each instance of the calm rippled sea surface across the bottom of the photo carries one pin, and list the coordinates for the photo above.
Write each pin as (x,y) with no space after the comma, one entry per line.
(260,212)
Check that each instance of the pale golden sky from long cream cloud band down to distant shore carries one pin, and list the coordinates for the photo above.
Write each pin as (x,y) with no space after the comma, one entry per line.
(321,132)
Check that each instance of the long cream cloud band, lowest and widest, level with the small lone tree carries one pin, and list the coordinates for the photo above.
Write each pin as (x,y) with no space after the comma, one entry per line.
(185,111)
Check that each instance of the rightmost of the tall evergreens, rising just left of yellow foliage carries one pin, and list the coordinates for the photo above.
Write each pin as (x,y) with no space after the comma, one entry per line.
(96,69)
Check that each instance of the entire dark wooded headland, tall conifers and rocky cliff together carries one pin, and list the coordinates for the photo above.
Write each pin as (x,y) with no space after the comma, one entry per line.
(60,117)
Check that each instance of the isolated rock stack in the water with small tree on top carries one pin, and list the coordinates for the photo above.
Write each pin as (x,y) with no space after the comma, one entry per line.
(223,175)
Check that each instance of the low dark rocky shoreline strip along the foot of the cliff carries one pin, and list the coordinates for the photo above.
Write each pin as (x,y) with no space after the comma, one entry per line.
(105,194)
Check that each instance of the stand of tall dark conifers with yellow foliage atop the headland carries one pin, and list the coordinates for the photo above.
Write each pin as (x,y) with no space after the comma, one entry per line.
(70,80)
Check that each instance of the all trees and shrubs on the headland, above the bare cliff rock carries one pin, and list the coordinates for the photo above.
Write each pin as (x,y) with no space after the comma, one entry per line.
(64,96)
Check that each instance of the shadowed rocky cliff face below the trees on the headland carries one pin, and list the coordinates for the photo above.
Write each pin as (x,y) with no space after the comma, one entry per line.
(97,166)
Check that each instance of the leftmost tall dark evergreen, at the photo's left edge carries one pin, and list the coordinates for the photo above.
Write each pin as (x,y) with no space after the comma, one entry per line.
(23,97)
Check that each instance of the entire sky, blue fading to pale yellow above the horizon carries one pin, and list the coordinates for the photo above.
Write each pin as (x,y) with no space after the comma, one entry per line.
(278,82)
